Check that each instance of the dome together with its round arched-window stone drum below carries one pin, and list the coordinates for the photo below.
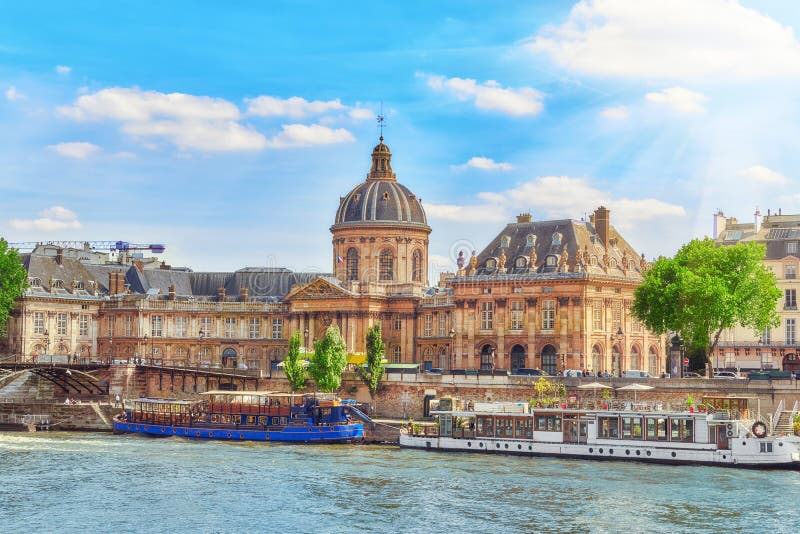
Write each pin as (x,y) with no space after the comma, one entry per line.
(380,234)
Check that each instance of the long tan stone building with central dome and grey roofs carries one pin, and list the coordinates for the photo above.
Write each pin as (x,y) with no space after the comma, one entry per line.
(543,294)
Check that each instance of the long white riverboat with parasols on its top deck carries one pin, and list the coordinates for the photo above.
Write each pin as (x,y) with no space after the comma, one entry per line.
(724,435)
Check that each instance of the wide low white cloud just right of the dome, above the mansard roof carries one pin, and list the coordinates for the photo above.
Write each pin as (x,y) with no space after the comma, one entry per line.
(555,197)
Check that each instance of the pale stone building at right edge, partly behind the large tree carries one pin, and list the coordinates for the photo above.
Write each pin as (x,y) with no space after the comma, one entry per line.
(777,348)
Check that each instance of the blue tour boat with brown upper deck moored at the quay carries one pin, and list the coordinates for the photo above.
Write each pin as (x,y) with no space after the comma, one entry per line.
(246,416)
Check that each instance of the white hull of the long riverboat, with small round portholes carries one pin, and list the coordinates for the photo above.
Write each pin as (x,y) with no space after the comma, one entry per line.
(743,452)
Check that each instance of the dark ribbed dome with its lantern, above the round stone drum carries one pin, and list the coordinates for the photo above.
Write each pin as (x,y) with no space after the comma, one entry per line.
(380,199)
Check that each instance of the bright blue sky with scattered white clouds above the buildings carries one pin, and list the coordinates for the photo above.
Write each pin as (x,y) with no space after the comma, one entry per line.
(228,131)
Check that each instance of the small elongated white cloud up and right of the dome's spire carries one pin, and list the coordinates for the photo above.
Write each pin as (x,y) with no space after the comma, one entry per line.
(490,95)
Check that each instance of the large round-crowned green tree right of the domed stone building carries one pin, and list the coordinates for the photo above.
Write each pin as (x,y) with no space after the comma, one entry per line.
(706,289)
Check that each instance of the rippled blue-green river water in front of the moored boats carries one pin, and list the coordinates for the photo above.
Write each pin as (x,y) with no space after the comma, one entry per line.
(84,482)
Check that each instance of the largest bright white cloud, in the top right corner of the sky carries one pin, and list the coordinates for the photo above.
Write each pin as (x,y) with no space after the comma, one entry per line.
(676,39)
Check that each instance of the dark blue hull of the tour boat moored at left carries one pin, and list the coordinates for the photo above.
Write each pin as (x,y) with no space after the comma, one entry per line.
(302,434)
